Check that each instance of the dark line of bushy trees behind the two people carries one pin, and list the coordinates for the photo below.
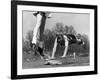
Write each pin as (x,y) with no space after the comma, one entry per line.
(50,35)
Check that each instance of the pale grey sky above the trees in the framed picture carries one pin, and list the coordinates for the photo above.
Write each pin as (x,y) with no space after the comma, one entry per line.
(81,22)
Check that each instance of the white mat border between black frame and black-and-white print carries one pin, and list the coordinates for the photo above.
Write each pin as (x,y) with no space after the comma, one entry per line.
(56,69)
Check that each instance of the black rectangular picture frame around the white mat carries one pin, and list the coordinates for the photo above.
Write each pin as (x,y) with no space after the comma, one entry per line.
(14,39)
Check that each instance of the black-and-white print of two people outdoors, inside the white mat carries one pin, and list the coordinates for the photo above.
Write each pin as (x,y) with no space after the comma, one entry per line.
(55,39)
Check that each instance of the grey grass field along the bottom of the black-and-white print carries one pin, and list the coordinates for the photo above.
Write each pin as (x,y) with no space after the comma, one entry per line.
(30,61)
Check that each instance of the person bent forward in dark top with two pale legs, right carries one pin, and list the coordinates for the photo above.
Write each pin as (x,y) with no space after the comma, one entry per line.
(65,40)
